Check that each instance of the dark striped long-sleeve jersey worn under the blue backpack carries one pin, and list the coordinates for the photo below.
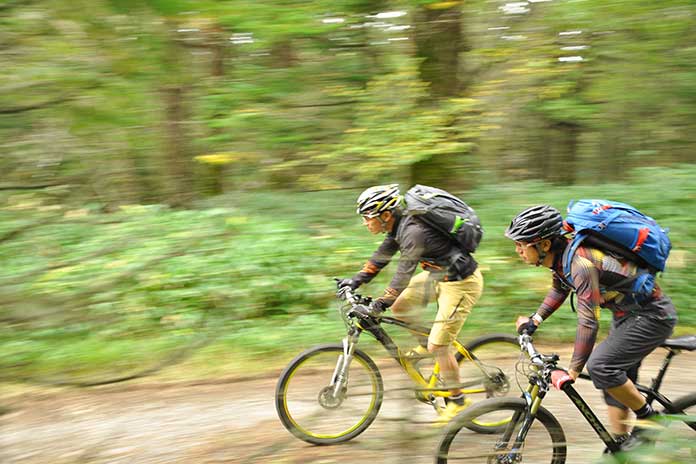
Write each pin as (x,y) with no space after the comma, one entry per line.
(594,274)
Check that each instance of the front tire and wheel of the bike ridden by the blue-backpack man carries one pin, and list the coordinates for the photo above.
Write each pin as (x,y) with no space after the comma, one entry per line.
(545,428)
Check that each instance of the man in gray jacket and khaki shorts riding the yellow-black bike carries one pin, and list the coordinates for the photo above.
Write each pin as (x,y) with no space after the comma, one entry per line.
(457,284)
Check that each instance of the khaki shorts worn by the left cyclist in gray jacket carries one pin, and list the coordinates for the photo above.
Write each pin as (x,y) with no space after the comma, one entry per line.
(454,302)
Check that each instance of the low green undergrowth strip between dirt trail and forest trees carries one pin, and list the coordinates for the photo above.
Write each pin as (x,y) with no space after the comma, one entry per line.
(87,292)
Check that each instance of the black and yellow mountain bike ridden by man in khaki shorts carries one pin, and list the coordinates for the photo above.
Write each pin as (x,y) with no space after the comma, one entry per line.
(332,393)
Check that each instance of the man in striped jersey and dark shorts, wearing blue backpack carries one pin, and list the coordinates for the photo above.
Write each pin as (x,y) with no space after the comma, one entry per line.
(597,277)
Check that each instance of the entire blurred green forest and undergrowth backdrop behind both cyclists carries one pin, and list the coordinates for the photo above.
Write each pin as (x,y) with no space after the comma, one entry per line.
(178,177)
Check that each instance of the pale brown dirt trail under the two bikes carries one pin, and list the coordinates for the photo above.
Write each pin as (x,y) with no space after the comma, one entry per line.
(236,422)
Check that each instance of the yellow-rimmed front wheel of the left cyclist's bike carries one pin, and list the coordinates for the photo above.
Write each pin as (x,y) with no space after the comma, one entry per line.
(311,408)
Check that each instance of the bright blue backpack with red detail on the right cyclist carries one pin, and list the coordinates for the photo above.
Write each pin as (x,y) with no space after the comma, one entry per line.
(622,230)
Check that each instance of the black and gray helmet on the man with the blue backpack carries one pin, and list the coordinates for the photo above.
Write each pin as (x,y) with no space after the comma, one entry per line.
(535,223)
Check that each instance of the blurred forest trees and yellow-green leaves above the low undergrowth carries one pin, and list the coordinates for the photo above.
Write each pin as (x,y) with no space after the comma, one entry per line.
(114,100)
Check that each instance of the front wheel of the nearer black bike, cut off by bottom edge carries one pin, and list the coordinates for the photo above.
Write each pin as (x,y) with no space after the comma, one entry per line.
(544,442)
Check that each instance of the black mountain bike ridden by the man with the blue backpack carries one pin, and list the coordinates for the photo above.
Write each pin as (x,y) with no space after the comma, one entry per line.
(533,434)
